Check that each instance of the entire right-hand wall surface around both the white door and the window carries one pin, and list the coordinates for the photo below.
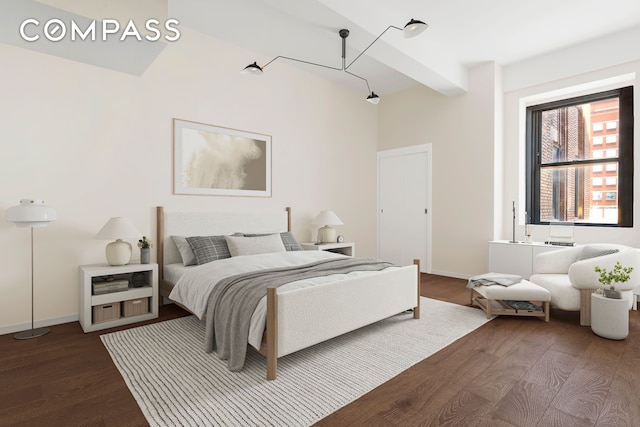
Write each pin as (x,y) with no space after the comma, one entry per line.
(478,160)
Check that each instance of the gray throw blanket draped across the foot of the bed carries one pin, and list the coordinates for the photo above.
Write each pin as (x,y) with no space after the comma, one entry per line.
(234,299)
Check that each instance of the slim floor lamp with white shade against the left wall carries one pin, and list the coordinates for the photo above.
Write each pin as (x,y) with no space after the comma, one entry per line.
(31,213)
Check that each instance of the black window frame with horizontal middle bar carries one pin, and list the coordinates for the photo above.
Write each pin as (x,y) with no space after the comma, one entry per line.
(624,159)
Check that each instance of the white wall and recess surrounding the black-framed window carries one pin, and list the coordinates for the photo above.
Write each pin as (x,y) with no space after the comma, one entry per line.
(513,185)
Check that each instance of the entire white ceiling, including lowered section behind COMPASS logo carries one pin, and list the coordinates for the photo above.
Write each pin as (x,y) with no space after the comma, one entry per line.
(461,34)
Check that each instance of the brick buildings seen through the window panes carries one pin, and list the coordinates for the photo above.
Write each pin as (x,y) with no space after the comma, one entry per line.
(580,193)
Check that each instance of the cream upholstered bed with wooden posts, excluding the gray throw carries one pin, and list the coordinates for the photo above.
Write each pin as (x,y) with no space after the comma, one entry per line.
(289,313)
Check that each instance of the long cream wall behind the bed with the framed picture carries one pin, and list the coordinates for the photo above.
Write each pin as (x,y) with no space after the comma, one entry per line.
(95,143)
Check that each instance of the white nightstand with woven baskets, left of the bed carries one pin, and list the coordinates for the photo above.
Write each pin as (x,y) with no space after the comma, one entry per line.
(119,308)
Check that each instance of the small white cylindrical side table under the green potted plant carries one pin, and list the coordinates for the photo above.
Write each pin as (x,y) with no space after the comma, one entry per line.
(609,317)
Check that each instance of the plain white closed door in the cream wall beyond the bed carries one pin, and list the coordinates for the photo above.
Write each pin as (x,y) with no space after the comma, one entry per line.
(404,225)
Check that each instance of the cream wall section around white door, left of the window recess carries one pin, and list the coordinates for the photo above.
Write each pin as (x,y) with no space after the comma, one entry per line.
(462,130)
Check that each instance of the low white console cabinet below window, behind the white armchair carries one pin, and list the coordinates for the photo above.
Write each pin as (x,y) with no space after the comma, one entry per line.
(516,258)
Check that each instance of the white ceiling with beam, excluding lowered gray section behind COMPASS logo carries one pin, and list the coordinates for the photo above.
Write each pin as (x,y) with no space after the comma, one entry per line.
(461,33)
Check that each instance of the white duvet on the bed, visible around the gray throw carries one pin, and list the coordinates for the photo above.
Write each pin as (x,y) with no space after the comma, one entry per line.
(194,286)
